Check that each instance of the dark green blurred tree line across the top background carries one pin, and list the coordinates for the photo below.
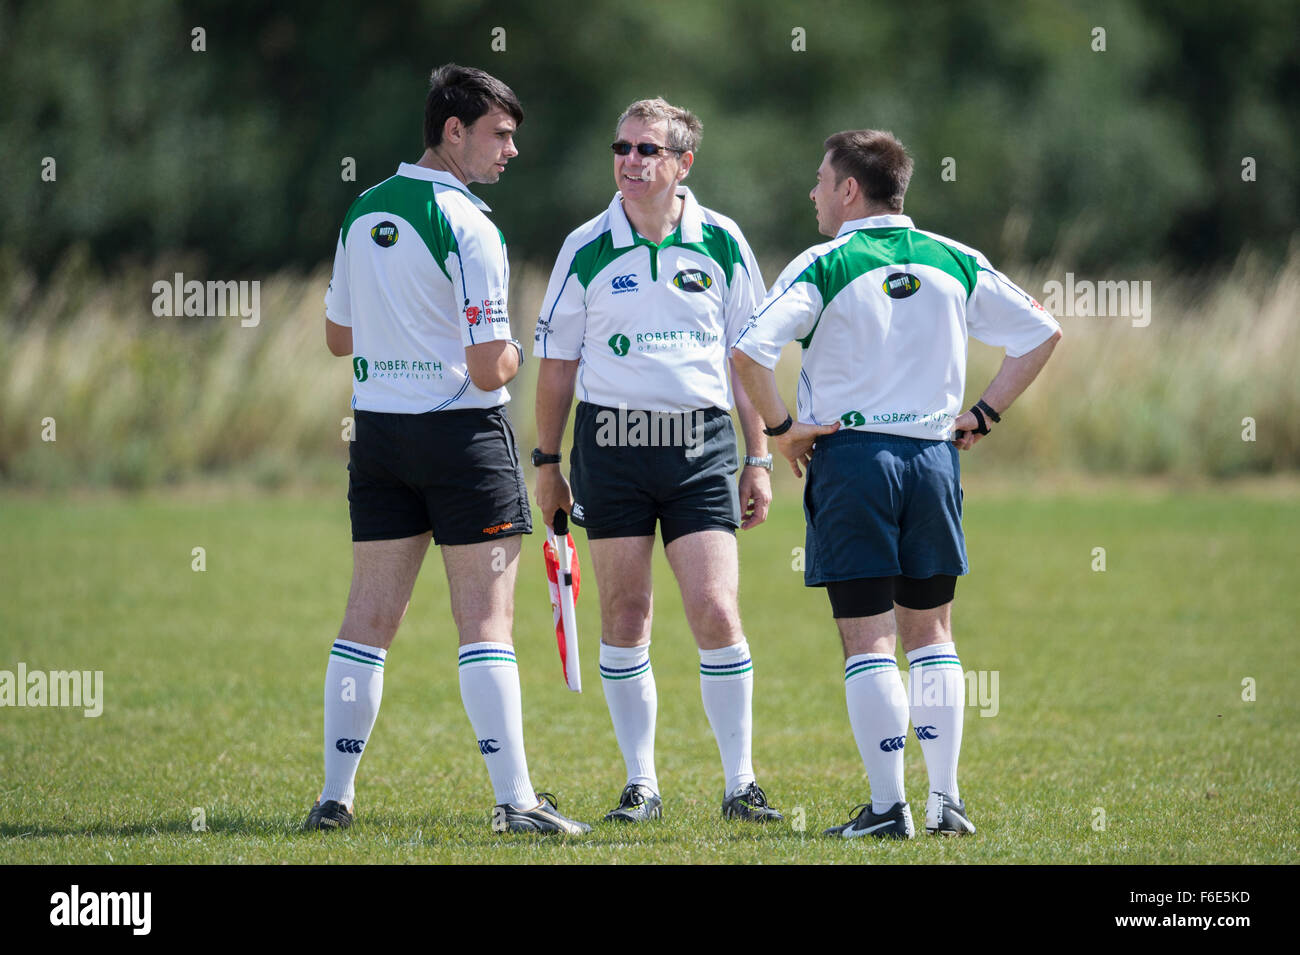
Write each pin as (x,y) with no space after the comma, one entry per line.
(1169,137)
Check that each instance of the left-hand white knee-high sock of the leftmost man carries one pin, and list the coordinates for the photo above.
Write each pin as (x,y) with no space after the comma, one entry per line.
(354,685)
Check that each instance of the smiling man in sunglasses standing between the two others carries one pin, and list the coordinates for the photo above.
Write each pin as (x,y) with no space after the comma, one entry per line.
(638,316)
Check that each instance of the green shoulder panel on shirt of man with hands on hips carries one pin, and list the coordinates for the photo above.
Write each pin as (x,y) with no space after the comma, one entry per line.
(874,249)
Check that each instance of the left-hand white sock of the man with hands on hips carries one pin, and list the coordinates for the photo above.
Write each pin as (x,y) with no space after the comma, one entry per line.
(878,713)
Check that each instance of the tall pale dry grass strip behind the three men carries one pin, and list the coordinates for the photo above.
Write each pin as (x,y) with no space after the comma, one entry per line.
(140,401)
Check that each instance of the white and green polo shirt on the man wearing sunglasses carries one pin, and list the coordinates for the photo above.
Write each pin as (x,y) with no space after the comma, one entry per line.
(651,322)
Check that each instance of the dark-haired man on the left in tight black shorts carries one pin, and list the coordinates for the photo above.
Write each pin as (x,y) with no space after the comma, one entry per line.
(419,294)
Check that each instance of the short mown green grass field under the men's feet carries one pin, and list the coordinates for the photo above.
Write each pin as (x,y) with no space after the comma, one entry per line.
(1119,691)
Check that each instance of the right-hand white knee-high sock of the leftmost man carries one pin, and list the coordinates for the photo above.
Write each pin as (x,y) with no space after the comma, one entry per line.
(489,689)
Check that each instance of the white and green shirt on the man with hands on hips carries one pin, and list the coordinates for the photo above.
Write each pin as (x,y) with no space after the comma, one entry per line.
(883,312)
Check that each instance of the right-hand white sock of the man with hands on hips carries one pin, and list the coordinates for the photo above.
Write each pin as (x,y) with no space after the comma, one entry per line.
(938,711)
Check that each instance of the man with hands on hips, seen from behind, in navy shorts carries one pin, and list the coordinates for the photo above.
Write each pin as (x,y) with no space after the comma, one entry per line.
(883,312)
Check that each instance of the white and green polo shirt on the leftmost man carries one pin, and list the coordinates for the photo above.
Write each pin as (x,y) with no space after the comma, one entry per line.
(421,274)
